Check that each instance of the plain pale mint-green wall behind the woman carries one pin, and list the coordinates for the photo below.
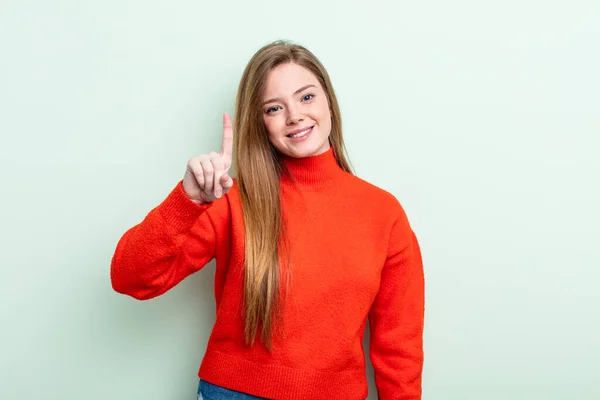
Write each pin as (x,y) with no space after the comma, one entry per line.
(483,118)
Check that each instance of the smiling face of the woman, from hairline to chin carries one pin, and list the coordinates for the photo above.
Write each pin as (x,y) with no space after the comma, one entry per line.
(294,101)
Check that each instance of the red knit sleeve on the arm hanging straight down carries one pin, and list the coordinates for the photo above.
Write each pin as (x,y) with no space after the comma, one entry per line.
(396,318)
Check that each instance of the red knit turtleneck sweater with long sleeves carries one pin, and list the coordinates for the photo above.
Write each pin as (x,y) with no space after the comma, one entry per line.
(353,256)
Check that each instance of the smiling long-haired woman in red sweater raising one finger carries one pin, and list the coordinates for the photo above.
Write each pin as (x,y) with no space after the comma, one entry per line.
(305,250)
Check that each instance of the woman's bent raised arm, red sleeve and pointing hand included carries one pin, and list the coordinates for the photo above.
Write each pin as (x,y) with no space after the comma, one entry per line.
(177,238)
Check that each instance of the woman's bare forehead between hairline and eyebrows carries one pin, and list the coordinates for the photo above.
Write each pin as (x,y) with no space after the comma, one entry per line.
(285,79)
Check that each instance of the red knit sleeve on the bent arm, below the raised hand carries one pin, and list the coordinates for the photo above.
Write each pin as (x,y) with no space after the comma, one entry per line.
(174,240)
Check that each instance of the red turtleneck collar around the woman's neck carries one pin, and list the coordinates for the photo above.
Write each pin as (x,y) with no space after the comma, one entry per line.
(312,172)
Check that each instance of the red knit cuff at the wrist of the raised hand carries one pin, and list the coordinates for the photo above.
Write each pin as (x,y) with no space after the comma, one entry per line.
(179,211)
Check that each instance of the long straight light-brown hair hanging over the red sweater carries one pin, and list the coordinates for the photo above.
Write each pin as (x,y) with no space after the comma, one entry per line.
(258,171)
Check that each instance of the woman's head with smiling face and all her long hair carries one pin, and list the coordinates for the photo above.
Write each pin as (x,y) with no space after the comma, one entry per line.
(283,88)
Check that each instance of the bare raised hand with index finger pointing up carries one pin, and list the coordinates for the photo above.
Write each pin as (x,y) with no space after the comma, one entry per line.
(206,177)
